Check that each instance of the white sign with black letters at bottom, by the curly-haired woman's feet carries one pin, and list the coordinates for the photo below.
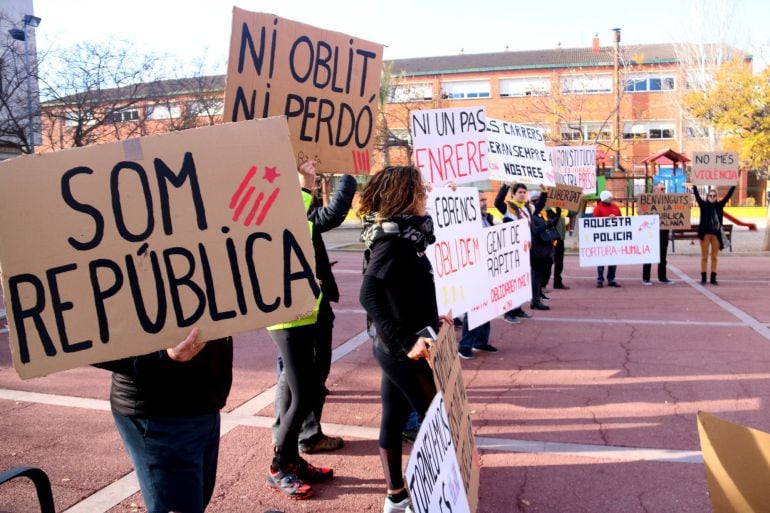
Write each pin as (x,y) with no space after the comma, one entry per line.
(432,472)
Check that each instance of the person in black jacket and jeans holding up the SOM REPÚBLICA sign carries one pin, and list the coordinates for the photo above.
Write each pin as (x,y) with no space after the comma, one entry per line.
(166,408)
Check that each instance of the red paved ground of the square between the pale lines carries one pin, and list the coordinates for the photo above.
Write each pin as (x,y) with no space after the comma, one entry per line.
(565,376)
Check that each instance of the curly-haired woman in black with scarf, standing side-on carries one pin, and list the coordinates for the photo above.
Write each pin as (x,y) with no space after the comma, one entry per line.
(399,297)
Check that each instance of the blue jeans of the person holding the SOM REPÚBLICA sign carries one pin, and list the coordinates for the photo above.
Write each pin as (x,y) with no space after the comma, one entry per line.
(175,459)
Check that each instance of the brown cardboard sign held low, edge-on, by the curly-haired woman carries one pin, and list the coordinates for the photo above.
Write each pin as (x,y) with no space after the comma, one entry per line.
(448,377)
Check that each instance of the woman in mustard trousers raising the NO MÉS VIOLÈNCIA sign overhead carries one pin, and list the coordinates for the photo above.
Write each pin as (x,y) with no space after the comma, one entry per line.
(710,230)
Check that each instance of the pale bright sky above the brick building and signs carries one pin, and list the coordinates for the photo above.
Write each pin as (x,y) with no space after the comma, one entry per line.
(408,28)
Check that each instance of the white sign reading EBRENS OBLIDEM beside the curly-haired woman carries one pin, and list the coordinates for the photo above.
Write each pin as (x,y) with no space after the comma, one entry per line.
(456,256)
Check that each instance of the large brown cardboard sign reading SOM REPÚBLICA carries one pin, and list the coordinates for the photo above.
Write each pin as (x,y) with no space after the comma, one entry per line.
(120,249)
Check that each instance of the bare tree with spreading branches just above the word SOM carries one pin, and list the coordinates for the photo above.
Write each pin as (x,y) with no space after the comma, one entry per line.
(95,92)
